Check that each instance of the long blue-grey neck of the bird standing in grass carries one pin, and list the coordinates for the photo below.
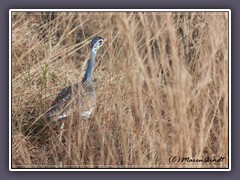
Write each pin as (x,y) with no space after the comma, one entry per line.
(90,67)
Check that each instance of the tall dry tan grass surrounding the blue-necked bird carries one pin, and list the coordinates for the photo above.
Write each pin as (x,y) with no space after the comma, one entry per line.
(161,82)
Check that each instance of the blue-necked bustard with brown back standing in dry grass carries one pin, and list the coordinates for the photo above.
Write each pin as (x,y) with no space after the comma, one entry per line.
(79,96)
